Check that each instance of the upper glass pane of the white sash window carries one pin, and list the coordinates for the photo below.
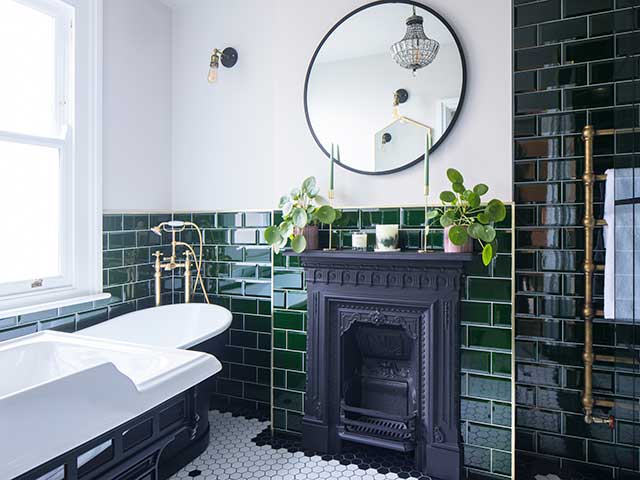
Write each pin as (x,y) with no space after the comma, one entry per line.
(27,82)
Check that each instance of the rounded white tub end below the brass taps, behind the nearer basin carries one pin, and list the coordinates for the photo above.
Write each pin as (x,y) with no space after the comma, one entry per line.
(183,325)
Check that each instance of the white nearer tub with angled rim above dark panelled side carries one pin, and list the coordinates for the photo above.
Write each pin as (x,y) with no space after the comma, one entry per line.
(60,390)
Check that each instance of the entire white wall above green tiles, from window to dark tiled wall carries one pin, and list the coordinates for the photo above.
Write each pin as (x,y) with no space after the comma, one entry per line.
(244,141)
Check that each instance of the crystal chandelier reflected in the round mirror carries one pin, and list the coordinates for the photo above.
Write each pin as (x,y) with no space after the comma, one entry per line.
(415,50)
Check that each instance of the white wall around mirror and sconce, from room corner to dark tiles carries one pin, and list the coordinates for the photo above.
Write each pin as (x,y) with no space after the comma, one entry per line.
(244,142)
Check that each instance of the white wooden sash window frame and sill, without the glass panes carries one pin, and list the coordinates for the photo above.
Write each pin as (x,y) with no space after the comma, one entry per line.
(79,116)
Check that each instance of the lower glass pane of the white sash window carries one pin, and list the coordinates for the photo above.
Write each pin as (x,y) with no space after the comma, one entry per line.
(29,211)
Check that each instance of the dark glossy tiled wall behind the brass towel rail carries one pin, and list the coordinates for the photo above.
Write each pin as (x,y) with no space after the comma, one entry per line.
(575,62)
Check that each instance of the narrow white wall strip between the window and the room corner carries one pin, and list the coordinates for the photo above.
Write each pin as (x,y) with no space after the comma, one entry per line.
(137,106)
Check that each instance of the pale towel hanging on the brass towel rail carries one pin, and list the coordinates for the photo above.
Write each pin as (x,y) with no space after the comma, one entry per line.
(622,257)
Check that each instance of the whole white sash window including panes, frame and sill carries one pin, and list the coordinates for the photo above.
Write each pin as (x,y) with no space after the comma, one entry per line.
(49,151)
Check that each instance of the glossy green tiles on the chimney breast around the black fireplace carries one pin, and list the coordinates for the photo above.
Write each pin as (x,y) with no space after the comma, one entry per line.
(486,348)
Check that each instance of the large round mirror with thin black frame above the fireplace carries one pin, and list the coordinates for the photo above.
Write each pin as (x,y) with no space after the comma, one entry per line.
(384,79)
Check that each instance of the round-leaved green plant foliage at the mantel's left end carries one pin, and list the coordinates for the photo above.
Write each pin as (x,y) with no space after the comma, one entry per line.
(303,206)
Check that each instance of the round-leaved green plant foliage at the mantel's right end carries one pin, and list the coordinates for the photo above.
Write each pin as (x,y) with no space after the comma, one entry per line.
(468,216)
